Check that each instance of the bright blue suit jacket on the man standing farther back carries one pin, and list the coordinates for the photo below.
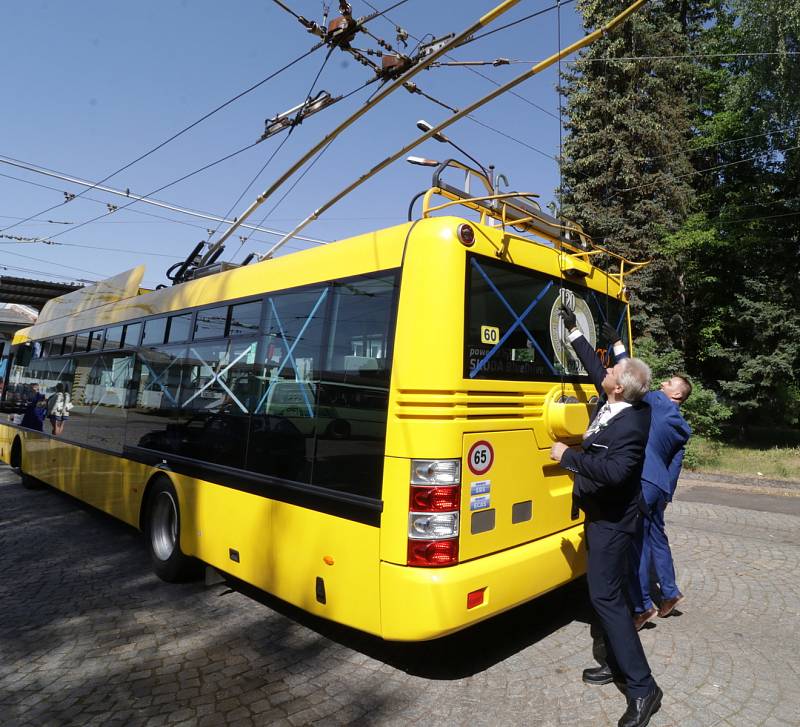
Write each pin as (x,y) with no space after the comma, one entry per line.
(666,445)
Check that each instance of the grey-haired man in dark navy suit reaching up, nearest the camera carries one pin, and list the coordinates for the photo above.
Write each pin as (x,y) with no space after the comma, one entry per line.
(608,468)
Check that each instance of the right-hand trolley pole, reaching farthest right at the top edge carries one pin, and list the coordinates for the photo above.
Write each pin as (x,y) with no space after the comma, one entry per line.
(538,68)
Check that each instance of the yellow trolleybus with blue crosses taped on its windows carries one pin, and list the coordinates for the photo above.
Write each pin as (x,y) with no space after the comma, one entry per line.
(361,429)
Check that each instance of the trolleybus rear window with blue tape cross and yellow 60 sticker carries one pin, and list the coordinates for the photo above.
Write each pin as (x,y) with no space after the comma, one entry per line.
(513,330)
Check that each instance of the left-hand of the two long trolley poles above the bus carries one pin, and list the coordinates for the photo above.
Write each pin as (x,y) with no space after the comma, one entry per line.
(390,88)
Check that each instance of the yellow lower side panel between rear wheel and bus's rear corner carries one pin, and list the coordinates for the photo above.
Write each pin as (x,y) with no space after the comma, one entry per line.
(281,549)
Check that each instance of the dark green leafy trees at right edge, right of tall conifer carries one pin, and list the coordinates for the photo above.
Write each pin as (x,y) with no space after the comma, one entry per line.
(739,256)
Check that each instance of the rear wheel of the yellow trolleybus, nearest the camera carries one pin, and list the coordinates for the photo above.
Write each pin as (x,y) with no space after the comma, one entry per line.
(162,530)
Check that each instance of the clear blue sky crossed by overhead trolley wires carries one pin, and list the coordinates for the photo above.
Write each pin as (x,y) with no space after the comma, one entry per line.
(93,85)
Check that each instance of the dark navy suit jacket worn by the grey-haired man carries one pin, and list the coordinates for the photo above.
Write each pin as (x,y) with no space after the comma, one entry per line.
(608,467)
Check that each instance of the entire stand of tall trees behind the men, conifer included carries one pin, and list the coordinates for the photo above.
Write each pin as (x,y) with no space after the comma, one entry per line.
(694,163)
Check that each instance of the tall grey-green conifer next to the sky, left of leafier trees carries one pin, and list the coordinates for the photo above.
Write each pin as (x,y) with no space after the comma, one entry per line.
(625,160)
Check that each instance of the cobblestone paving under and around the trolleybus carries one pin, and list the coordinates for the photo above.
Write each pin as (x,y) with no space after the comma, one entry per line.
(89,636)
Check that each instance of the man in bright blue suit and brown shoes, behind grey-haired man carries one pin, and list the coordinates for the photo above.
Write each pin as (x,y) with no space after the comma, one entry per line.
(663,458)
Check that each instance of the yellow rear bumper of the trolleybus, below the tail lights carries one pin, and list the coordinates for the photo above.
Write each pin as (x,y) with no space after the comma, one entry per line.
(418,604)
